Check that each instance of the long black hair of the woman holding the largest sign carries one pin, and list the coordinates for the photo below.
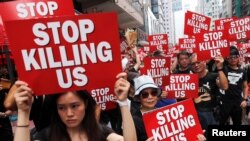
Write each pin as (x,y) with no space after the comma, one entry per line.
(89,124)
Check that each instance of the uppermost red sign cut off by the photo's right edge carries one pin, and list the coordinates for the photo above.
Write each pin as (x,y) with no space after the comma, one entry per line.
(239,29)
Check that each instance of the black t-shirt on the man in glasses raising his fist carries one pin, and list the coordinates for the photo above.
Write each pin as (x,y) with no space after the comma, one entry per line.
(207,84)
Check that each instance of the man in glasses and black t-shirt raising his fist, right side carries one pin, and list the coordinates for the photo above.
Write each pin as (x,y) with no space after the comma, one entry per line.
(208,87)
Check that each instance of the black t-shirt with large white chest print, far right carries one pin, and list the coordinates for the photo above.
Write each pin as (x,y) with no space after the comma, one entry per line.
(235,83)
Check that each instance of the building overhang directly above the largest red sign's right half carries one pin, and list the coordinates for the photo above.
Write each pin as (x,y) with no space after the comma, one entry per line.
(129,12)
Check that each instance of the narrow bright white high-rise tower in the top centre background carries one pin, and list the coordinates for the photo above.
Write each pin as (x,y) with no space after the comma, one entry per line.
(169,19)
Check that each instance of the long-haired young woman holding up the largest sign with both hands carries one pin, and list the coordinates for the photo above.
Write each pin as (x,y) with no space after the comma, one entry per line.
(74,116)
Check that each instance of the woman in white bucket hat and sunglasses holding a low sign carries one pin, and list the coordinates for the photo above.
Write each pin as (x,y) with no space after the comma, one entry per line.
(147,93)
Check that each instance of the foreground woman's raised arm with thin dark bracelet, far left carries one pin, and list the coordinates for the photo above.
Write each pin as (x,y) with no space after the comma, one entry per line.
(23,98)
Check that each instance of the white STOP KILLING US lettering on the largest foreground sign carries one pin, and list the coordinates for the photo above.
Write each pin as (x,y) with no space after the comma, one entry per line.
(83,54)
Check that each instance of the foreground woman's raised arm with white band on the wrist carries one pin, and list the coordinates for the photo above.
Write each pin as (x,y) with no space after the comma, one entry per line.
(121,90)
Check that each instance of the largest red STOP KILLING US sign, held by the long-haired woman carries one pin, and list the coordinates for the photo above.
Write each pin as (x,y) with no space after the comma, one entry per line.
(67,53)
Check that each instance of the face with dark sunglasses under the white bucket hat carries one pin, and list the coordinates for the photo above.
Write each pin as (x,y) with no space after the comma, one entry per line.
(148,98)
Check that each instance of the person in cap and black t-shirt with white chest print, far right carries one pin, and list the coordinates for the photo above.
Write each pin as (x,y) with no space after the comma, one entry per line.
(232,99)
